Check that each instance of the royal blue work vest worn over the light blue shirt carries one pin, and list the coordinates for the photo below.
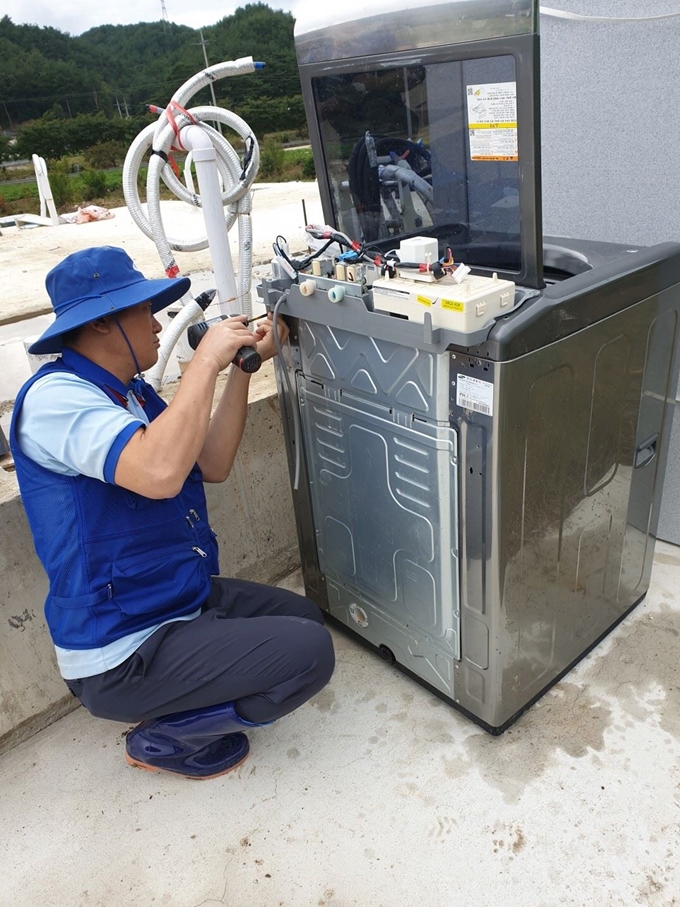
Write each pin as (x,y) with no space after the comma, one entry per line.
(117,562)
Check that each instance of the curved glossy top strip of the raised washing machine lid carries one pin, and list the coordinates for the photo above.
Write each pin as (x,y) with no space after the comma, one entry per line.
(324,33)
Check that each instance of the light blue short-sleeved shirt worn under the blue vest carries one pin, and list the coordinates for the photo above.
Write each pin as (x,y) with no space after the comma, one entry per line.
(71,427)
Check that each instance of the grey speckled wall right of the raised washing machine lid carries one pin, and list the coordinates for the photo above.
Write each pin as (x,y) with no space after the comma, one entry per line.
(610,92)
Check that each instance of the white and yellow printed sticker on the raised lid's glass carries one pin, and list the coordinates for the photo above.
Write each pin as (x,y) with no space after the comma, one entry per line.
(492,121)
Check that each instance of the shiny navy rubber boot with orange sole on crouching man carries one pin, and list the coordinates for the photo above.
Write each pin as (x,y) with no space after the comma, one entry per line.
(201,744)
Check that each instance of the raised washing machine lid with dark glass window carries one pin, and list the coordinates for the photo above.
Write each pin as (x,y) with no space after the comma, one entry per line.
(424,121)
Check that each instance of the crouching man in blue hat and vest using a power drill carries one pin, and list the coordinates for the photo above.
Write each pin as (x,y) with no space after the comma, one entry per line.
(112,483)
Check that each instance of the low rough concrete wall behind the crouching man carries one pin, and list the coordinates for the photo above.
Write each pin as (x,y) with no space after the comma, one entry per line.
(252,514)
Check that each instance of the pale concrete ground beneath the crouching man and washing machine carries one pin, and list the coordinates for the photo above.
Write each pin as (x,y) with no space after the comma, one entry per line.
(378,794)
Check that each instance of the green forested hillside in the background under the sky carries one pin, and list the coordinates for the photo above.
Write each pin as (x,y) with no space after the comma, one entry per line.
(59,94)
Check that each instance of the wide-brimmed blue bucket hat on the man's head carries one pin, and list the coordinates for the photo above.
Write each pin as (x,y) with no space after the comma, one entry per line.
(96,282)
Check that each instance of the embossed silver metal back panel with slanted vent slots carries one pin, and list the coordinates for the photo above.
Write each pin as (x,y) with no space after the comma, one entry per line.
(384,503)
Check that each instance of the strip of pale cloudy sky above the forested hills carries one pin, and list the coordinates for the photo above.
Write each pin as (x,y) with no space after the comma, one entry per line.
(78,16)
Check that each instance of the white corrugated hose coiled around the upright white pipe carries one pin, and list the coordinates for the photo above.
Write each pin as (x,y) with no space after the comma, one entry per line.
(236,176)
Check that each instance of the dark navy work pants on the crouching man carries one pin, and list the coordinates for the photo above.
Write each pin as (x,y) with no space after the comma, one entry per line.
(262,647)
